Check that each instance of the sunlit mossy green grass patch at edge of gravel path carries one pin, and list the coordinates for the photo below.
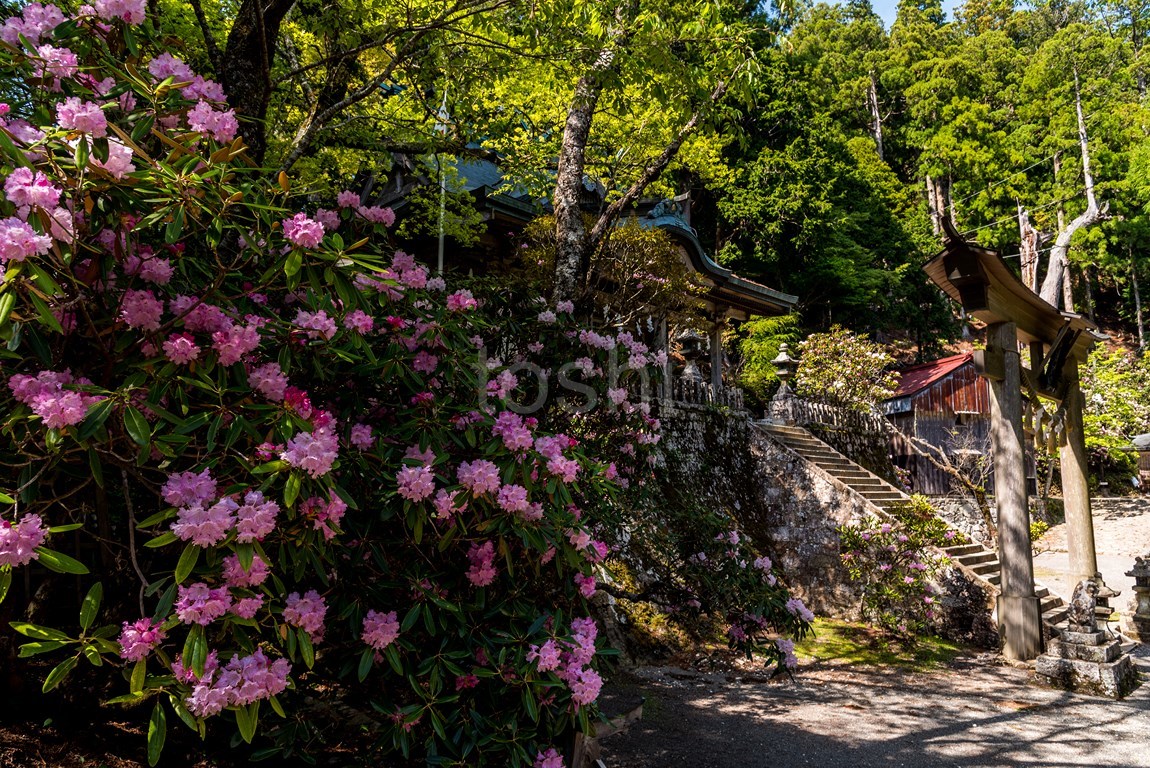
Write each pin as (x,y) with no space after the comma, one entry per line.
(842,643)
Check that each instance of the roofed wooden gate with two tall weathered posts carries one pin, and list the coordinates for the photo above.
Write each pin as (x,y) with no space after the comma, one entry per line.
(979,280)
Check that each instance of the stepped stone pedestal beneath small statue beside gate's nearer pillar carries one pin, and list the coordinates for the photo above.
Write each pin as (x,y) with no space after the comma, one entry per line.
(1085,663)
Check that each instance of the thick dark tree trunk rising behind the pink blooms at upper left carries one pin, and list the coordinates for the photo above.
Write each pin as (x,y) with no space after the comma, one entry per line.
(247,68)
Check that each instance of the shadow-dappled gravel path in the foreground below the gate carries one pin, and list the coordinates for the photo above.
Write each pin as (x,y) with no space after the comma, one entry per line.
(976,715)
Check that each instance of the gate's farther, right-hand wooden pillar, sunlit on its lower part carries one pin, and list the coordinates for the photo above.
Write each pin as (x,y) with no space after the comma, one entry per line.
(1084,563)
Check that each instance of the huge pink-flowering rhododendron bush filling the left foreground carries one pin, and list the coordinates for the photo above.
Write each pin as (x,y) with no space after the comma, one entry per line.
(278,460)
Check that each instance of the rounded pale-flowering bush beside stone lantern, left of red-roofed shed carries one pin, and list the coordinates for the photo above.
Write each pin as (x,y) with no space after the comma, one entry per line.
(845,370)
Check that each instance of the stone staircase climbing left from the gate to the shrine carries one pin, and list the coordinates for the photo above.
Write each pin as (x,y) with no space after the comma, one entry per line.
(975,558)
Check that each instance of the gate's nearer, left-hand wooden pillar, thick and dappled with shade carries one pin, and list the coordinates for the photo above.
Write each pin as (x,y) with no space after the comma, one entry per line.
(1019,616)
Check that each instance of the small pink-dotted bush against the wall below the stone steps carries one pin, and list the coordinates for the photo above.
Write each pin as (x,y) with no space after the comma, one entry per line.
(896,569)
